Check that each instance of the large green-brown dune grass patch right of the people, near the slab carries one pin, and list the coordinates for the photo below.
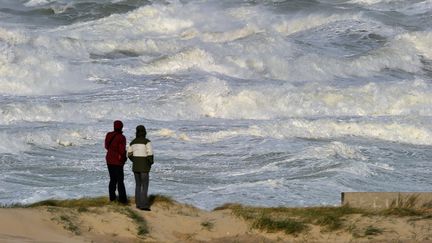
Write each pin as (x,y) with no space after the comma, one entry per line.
(295,221)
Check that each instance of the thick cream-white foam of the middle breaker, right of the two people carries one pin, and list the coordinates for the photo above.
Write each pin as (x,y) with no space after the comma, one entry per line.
(215,98)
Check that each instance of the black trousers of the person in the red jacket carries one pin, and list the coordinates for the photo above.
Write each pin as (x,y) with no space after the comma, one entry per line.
(116,182)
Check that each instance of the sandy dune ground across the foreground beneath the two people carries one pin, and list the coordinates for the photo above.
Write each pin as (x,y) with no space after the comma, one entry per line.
(86,221)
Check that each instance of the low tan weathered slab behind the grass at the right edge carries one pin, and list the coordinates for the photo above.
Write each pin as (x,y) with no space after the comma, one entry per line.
(384,200)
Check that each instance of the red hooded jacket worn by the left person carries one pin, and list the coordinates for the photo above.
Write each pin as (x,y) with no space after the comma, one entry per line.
(115,144)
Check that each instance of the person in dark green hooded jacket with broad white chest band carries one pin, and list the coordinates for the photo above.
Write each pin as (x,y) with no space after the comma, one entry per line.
(140,152)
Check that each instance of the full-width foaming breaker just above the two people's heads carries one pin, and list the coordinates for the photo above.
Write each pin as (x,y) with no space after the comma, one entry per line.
(220,99)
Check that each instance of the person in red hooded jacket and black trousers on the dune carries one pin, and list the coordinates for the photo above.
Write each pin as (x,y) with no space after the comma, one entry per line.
(115,144)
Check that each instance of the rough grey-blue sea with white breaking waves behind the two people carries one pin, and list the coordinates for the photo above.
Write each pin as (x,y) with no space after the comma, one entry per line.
(283,102)
